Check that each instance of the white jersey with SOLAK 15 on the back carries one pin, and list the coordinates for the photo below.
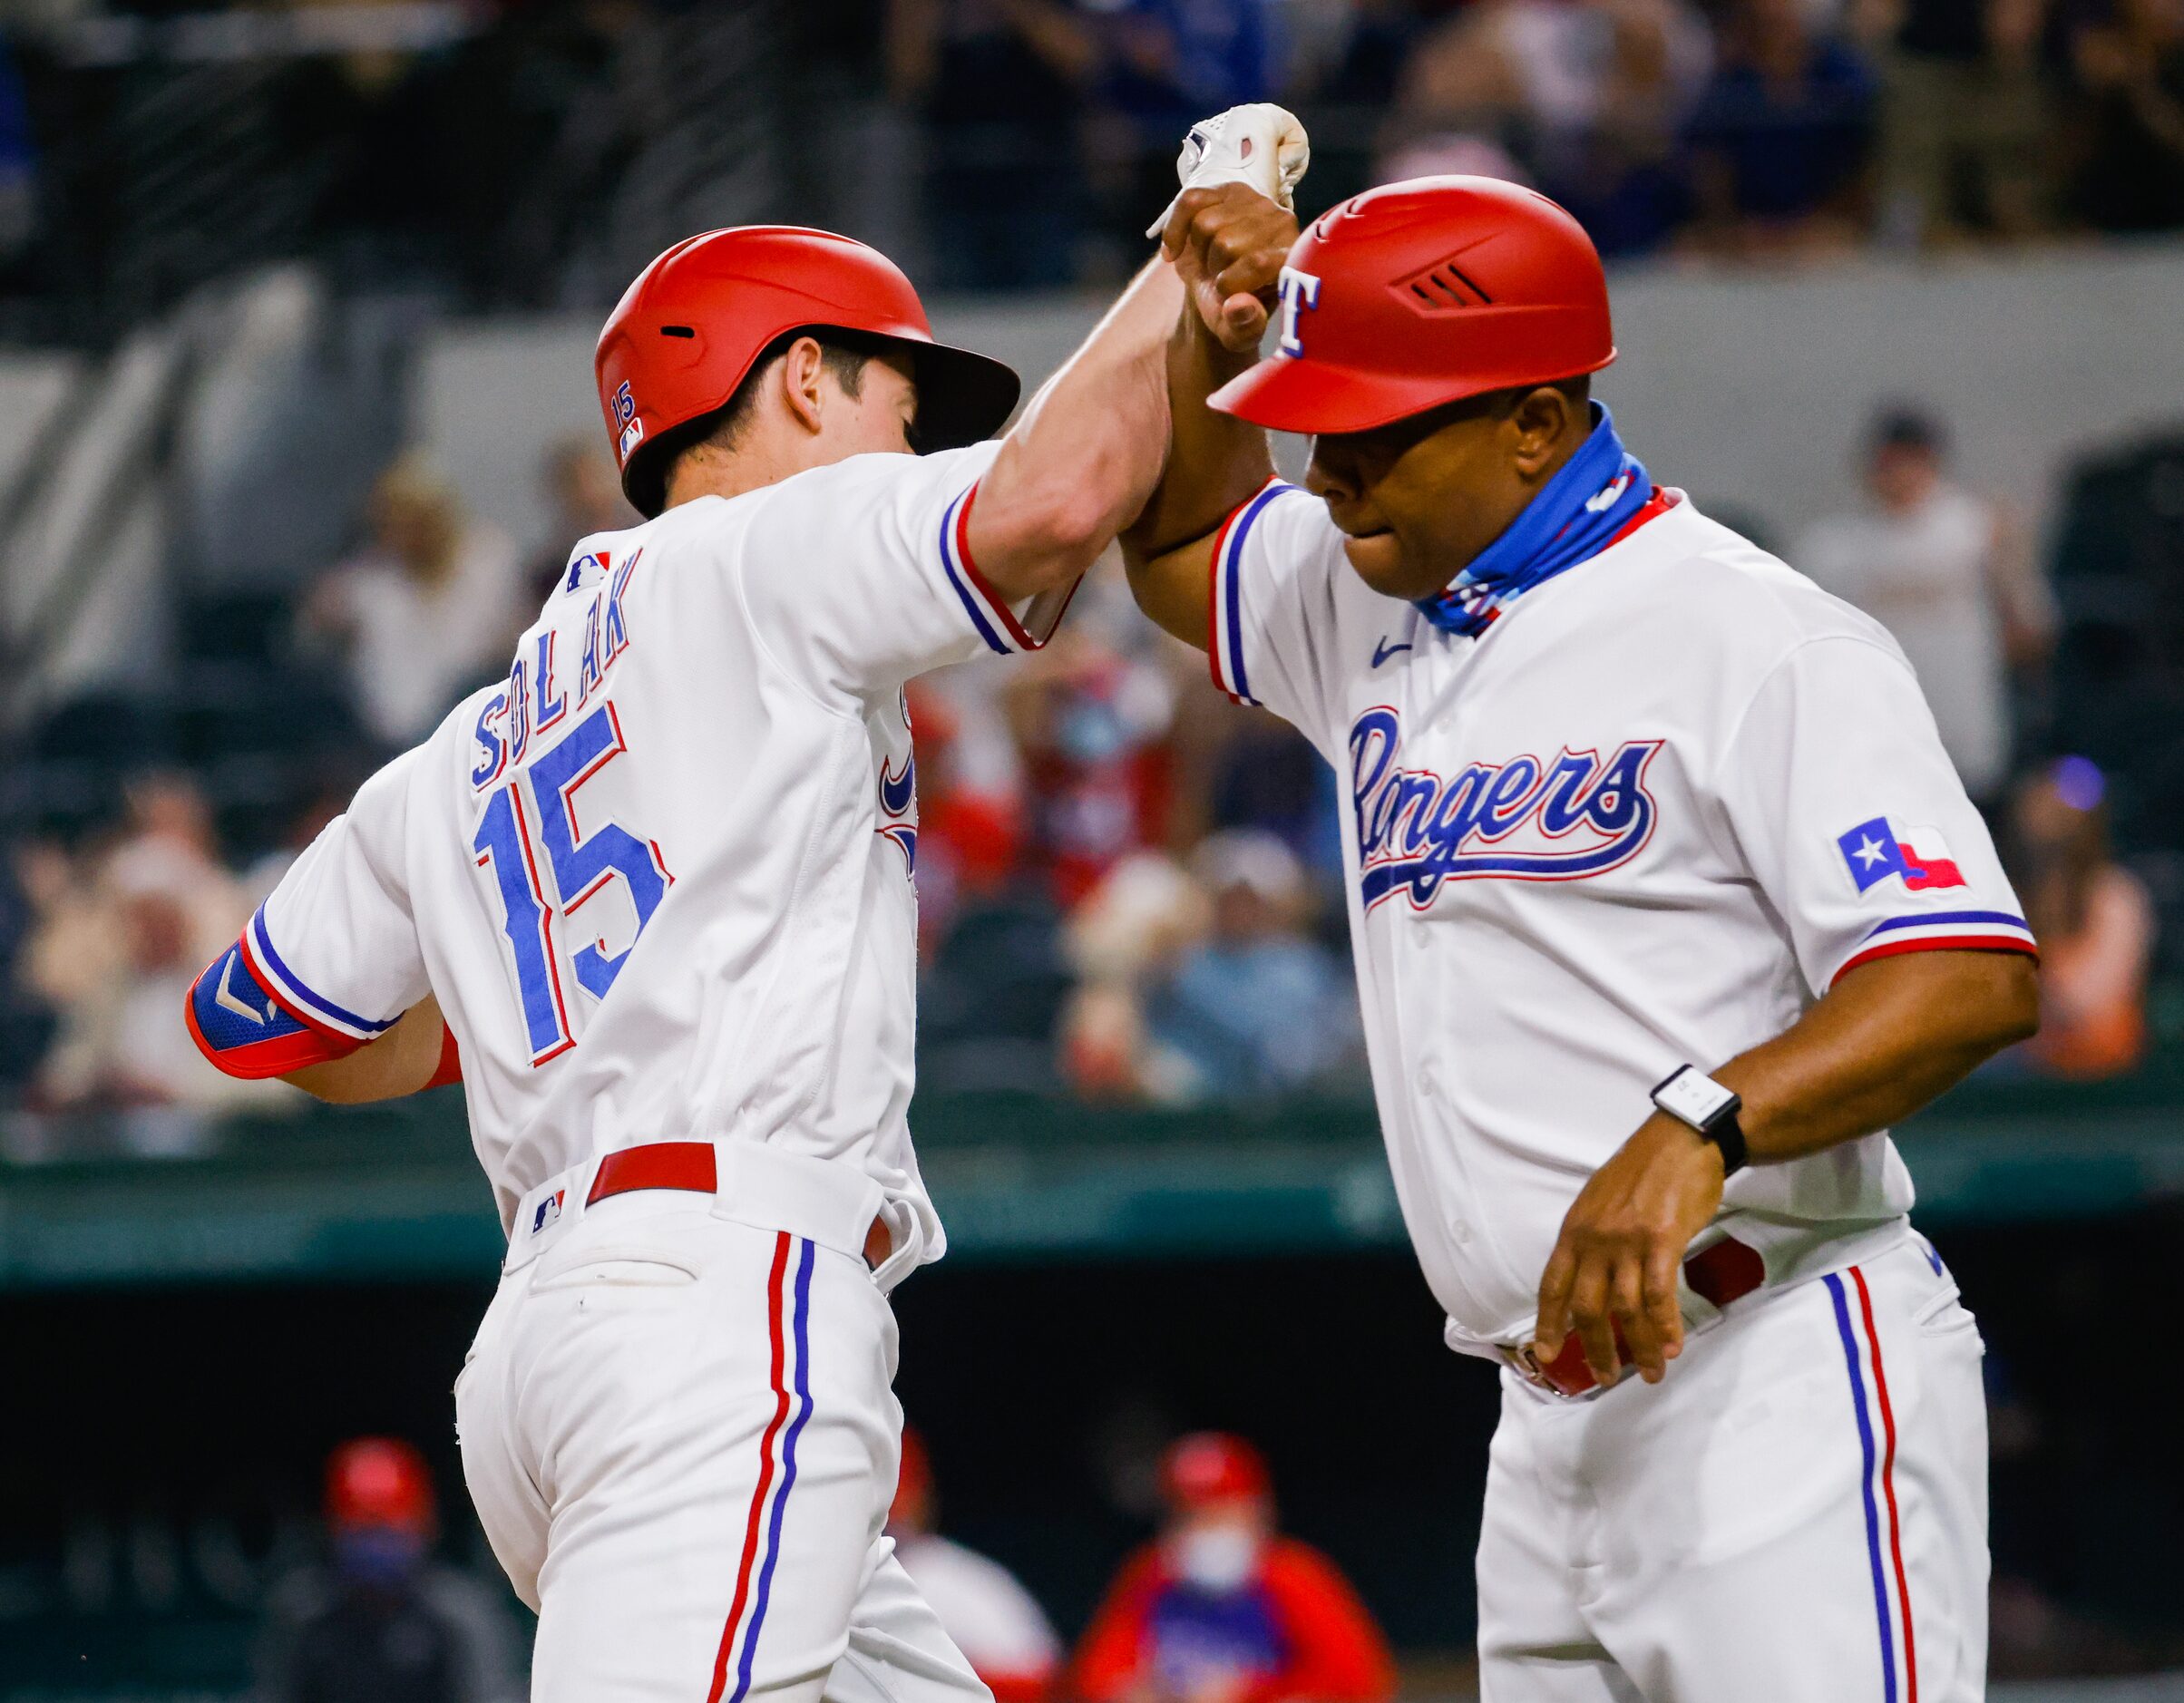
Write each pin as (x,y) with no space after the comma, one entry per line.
(661,877)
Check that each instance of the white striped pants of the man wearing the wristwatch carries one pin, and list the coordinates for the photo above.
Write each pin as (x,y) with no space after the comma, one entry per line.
(1799,1512)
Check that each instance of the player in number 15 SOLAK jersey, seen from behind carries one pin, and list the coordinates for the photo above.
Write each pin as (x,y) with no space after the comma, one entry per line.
(652,901)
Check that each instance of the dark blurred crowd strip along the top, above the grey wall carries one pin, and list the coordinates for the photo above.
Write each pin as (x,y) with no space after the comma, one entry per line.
(534,152)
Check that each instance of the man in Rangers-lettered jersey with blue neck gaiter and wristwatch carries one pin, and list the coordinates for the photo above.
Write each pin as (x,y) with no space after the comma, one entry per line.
(1665,905)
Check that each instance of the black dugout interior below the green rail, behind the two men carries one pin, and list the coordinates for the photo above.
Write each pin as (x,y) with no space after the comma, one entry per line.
(161,1451)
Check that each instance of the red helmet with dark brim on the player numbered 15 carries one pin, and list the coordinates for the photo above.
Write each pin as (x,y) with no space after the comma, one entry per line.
(696,322)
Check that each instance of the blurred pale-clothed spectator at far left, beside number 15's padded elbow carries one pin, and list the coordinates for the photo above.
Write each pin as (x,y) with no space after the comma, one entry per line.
(119,944)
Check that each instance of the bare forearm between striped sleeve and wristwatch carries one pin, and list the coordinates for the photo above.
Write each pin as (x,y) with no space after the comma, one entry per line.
(1882,1045)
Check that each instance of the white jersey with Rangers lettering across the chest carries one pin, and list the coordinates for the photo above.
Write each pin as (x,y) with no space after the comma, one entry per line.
(1646,820)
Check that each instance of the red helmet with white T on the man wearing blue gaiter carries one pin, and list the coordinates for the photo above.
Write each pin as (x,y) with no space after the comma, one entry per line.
(1423,294)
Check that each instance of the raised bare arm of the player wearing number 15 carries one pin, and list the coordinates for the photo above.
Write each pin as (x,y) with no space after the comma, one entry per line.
(1087,453)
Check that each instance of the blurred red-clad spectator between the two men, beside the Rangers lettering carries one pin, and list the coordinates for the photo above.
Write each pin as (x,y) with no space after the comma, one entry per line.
(1091,728)
